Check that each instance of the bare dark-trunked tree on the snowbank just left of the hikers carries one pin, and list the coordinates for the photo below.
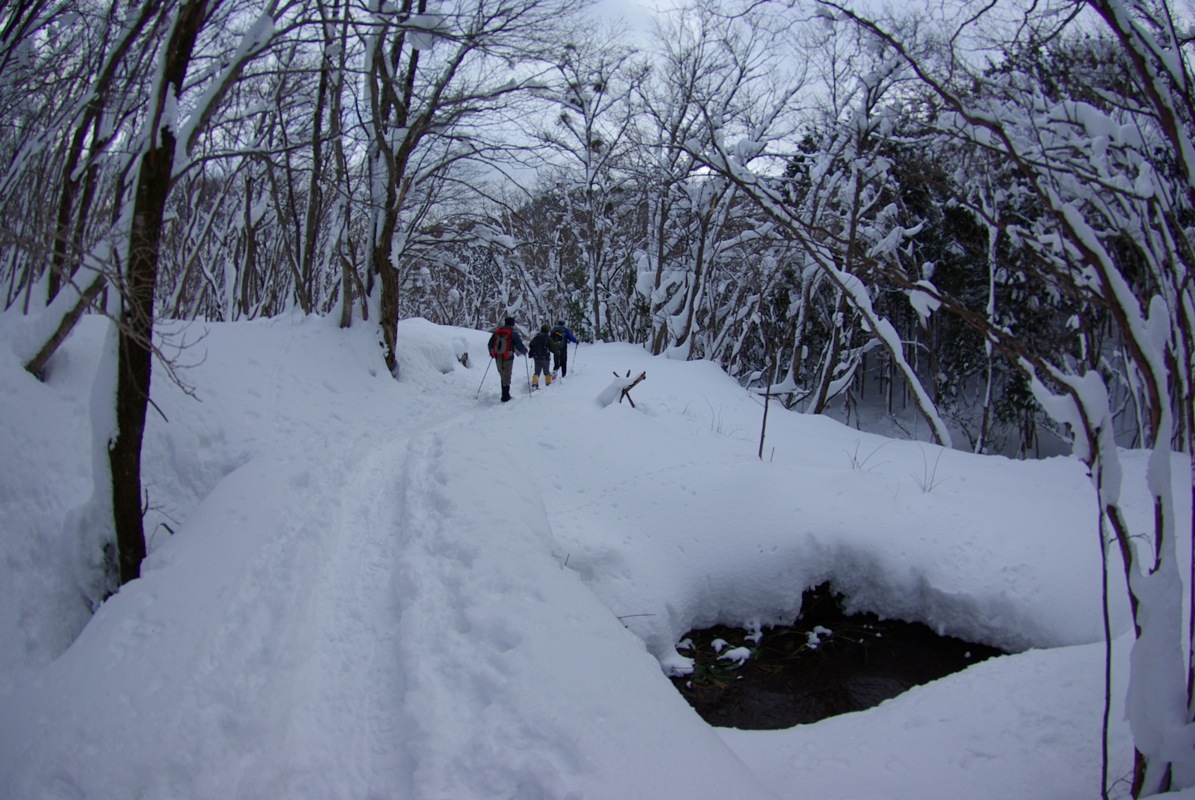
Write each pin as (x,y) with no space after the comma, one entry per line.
(432,75)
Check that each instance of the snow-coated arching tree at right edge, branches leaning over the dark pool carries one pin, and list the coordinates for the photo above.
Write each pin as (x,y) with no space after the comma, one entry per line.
(1111,235)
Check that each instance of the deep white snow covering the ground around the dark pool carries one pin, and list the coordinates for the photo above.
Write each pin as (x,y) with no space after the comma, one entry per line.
(360,588)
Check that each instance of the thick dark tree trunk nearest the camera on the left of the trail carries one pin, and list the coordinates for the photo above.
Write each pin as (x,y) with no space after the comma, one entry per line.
(158,143)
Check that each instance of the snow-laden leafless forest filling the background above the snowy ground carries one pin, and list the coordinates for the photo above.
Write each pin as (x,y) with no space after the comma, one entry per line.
(979,216)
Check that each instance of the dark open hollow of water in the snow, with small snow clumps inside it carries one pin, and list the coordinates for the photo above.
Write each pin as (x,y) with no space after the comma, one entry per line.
(787,682)
